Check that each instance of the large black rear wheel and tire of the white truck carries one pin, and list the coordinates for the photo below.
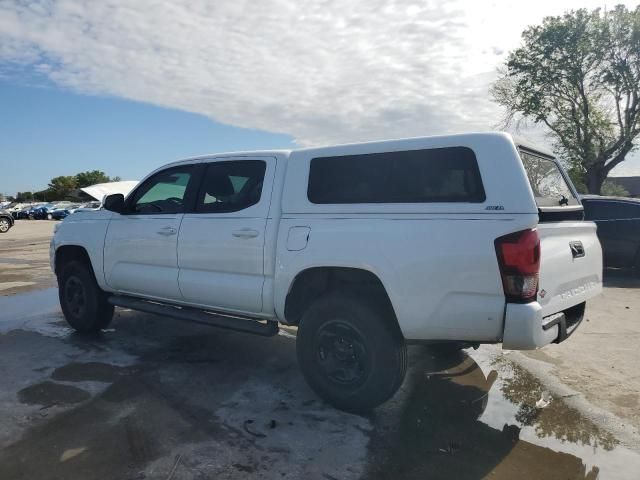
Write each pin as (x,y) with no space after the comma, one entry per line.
(351,353)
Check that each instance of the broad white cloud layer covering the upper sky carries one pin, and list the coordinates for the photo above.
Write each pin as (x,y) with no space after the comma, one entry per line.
(321,71)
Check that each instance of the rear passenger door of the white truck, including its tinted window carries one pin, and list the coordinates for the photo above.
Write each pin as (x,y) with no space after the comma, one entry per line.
(221,243)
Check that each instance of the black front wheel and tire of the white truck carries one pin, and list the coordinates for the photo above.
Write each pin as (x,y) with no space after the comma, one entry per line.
(83,303)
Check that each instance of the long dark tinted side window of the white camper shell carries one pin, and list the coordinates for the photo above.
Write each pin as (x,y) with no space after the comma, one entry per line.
(415,176)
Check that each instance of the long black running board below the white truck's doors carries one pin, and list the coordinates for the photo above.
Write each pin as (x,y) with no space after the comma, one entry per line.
(266,328)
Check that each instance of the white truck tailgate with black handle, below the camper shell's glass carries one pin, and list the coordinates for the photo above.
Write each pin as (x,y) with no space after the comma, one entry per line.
(570,265)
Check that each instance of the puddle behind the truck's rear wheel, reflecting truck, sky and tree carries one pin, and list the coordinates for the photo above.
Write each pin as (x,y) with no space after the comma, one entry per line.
(480,415)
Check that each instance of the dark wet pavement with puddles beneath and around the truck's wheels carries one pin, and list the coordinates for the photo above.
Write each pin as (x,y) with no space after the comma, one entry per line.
(153,398)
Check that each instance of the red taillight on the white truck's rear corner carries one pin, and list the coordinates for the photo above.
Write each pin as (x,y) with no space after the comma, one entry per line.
(519,259)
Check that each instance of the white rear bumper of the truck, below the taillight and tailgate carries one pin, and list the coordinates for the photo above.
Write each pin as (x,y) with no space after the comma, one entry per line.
(526,329)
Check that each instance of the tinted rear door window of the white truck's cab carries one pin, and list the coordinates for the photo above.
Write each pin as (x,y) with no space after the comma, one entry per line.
(231,186)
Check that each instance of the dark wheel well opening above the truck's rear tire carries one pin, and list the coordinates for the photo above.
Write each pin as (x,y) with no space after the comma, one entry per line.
(314,282)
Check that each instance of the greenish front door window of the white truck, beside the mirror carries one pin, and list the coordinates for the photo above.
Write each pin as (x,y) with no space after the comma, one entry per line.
(165,192)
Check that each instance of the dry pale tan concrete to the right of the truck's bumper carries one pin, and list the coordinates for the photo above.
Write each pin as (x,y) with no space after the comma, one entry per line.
(601,360)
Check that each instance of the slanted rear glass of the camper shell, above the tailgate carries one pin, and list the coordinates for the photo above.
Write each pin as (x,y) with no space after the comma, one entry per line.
(547,181)
